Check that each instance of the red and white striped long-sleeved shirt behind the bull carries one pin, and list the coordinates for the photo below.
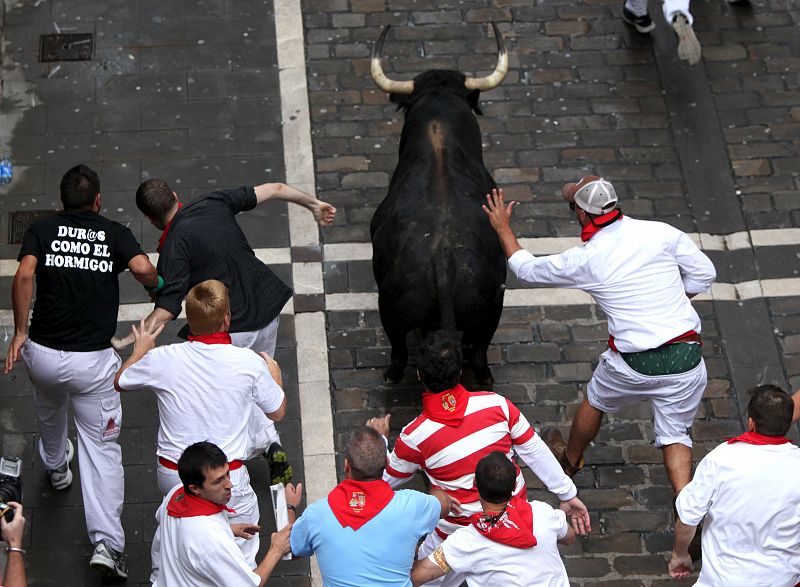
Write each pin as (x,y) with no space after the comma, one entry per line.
(449,452)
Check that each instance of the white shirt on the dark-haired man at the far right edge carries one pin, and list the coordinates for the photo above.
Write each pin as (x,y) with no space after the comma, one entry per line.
(750,498)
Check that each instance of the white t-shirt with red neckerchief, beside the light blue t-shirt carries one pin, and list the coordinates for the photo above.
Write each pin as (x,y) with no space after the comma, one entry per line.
(498,554)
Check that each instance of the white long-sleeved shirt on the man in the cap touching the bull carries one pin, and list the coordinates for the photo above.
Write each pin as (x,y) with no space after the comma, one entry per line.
(638,272)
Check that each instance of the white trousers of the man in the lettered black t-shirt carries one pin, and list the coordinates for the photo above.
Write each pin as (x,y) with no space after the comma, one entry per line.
(85,380)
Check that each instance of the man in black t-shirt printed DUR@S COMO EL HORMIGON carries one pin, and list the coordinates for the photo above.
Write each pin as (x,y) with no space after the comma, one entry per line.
(77,256)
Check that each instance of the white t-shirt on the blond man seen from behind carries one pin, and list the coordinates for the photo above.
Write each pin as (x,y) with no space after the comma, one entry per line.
(204,392)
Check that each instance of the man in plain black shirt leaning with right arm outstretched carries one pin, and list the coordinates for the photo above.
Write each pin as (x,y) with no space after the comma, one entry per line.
(201,241)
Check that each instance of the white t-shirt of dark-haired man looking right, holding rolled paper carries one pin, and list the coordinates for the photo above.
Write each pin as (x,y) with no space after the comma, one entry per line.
(199,552)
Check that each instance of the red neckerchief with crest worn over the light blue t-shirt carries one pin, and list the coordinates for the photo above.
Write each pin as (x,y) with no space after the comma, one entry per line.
(354,503)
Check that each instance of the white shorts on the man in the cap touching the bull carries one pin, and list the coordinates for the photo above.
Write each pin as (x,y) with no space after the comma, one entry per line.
(673,398)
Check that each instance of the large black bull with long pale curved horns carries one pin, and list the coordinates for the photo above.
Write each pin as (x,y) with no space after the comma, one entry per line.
(437,261)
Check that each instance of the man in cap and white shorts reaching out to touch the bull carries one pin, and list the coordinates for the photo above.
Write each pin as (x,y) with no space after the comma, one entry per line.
(642,274)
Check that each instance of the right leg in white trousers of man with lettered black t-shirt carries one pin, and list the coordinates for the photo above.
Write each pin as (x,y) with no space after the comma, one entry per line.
(98,418)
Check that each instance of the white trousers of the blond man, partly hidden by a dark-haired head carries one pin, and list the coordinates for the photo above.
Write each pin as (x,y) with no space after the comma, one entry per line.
(243,500)
